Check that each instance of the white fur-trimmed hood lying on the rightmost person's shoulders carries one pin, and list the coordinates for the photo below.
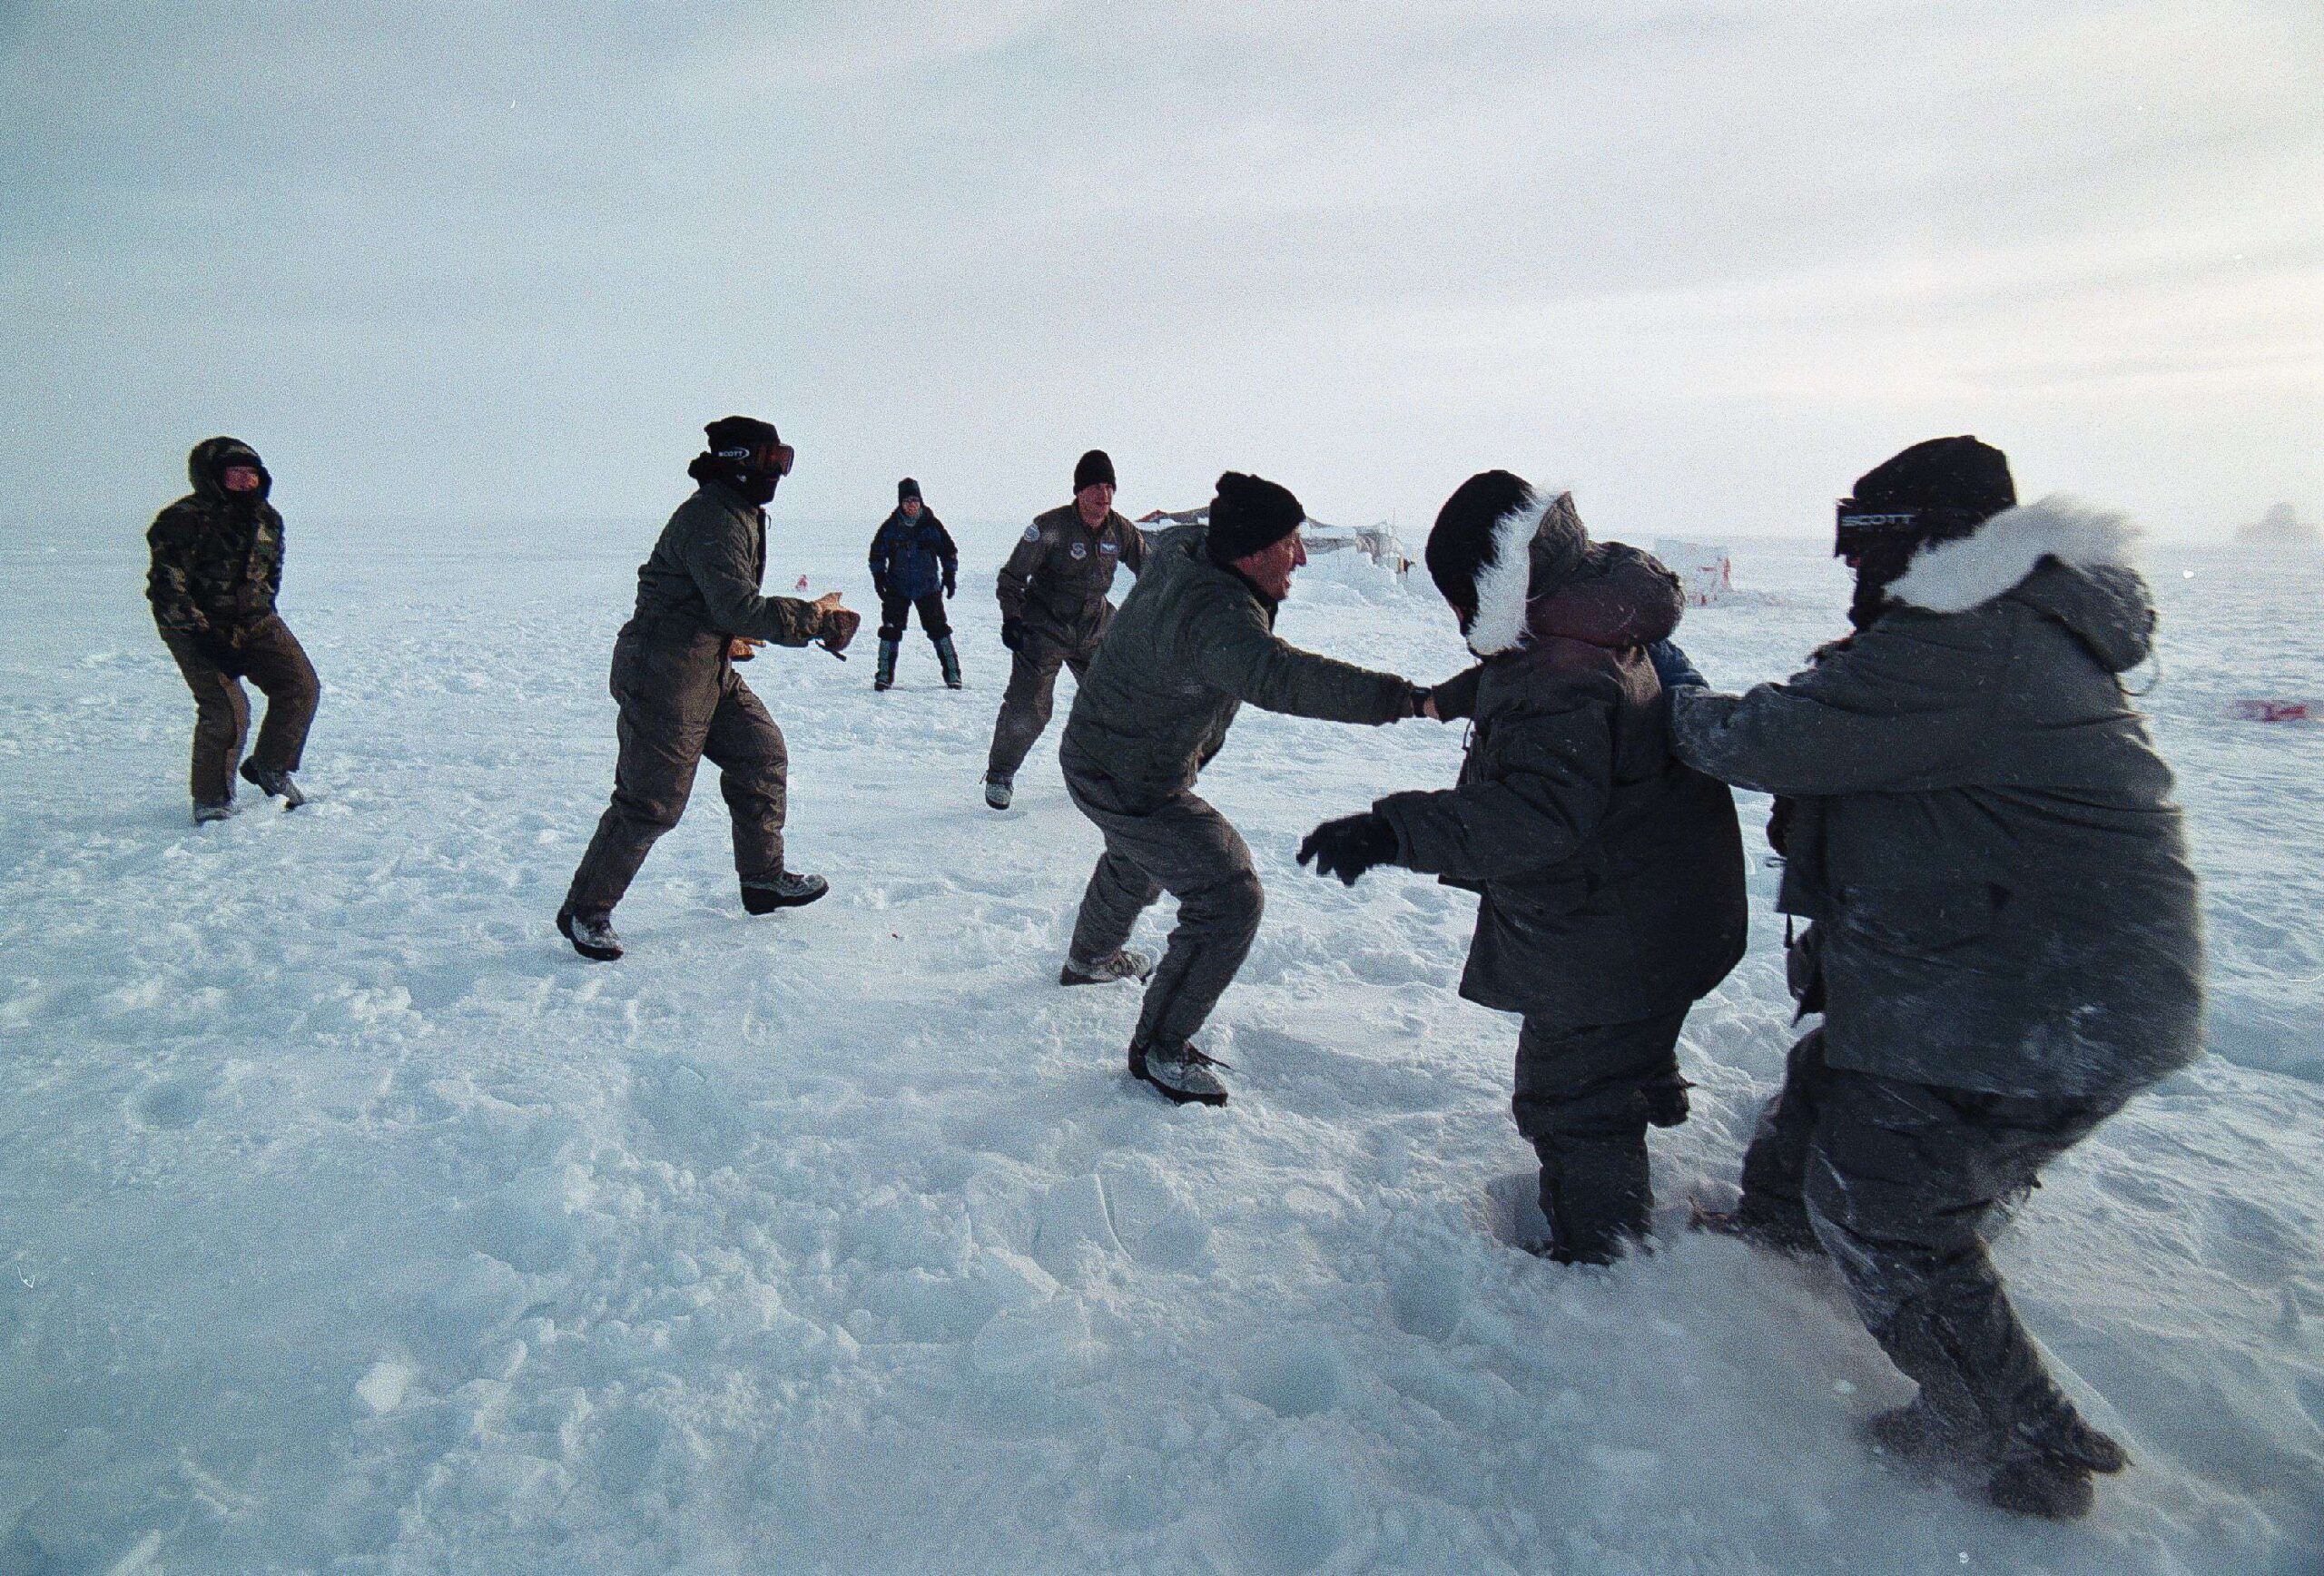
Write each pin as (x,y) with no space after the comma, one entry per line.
(2058,554)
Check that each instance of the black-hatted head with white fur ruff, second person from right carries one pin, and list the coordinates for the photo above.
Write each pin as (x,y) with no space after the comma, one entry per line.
(1495,547)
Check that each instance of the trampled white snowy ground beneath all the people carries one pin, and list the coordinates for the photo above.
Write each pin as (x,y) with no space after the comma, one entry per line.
(352,1224)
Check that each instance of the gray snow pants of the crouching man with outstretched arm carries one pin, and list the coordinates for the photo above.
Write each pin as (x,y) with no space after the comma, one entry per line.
(1186,850)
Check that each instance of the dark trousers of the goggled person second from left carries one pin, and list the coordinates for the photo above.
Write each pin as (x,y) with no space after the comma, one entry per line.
(682,705)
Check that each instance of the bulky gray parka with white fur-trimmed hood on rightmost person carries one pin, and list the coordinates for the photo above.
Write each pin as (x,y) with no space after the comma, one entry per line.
(1986,836)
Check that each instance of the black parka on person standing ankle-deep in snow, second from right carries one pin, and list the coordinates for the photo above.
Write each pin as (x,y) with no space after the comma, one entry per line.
(1609,873)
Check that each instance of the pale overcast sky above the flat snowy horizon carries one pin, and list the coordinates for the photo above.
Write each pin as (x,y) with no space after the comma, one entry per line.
(1700,262)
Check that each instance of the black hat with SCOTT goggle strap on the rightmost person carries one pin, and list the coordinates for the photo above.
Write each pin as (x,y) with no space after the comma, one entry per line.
(1932,492)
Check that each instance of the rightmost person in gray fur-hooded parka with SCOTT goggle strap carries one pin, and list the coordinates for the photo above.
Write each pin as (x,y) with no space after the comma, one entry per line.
(2004,931)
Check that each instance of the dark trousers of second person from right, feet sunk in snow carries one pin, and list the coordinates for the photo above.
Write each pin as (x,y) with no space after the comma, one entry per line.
(1586,1098)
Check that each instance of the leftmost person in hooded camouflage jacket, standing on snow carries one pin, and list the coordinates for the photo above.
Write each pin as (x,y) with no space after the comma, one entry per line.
(217,571)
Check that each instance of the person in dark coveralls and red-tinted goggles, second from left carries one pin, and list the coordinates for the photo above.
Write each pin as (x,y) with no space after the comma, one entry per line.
(701,613)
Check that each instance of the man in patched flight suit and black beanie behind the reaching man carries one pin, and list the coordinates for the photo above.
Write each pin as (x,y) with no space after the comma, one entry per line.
(1054,610)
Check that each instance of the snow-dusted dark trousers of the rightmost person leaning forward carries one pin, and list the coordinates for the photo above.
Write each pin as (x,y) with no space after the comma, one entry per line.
(1902,1184)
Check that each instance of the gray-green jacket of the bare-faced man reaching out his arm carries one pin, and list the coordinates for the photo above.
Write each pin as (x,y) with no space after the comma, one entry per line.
(1186,650)
